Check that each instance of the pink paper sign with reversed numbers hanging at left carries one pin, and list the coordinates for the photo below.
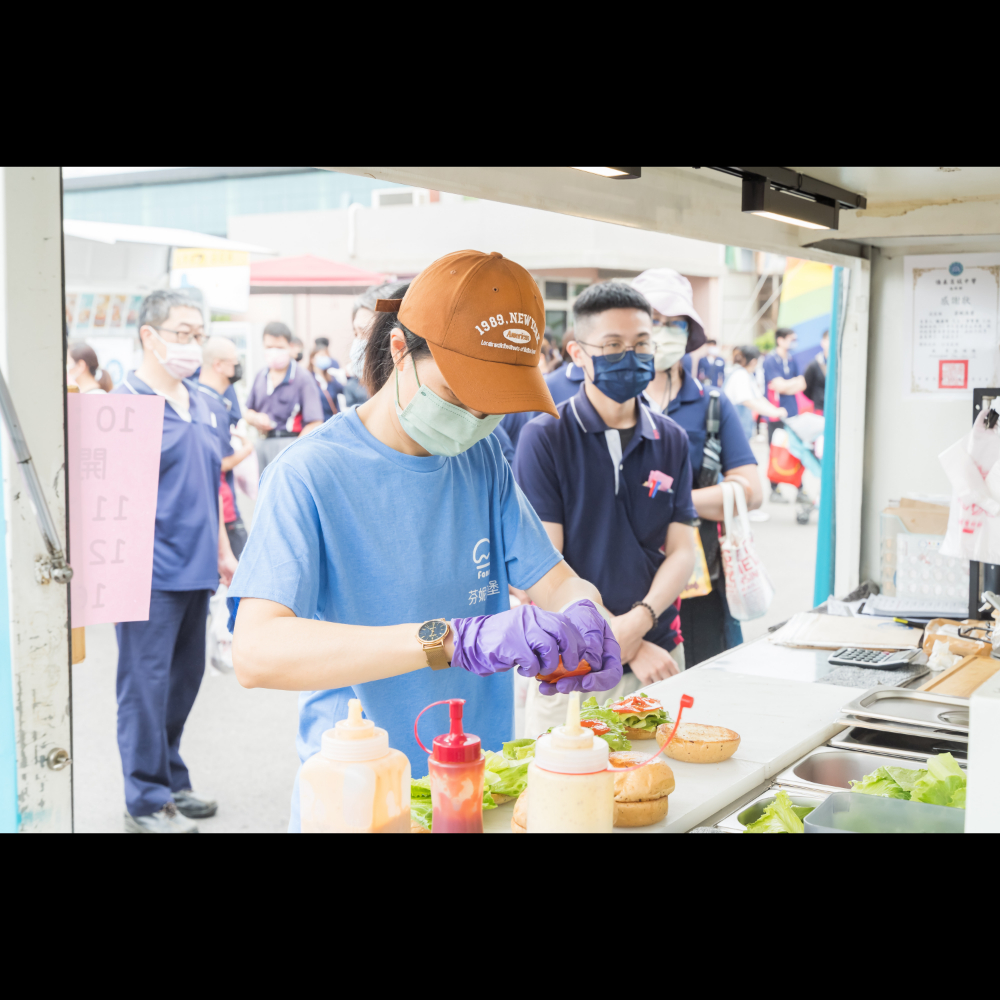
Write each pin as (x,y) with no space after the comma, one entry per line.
(114,473)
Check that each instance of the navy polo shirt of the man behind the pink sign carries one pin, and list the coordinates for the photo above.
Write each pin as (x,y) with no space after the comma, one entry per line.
(186,535)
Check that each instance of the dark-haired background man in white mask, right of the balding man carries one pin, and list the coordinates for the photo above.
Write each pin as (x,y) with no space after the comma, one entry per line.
(282,391)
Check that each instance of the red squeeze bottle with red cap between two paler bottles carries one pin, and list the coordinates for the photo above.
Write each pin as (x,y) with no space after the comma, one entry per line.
(457,770)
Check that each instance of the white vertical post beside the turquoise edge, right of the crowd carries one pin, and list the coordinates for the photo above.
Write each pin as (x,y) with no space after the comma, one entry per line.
(852,382)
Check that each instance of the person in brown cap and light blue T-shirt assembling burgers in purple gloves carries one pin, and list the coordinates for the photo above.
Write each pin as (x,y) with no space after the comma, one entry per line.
(385,542)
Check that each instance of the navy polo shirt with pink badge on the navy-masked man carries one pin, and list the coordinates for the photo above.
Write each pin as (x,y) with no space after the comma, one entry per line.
(613,531)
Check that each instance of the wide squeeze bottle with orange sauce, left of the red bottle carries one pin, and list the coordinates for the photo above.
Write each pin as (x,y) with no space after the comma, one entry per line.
(356,783)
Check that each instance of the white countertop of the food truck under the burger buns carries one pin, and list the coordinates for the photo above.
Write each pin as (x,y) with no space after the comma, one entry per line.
(762,691)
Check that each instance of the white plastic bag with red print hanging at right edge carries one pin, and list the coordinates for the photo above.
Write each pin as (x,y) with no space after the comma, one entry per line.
(972,466)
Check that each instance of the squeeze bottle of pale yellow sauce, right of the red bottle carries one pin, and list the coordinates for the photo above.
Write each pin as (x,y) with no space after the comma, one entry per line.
(571,787)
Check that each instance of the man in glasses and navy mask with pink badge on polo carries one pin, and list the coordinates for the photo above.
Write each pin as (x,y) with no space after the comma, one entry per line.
(611,481)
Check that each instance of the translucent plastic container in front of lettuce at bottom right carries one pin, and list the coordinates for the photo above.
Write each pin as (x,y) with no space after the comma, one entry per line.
(854,812)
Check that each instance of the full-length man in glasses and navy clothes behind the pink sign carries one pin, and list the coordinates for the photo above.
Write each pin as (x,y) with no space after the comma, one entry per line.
(161,661)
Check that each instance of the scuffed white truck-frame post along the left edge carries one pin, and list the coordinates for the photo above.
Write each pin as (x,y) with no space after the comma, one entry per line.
(33,361)
